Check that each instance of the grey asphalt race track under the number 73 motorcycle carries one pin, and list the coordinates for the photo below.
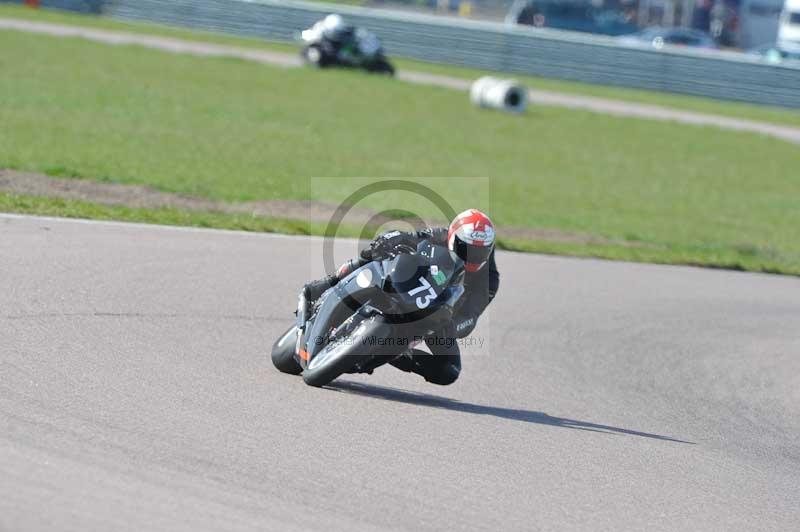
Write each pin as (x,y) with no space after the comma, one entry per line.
(136,393)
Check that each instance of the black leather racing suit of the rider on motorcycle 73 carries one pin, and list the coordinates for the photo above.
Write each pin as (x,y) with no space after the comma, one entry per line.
(479,289)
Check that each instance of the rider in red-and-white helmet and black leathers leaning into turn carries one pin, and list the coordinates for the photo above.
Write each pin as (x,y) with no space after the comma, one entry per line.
(471,236)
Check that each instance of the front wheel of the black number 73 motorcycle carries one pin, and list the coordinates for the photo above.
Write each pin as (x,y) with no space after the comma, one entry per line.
(338,358)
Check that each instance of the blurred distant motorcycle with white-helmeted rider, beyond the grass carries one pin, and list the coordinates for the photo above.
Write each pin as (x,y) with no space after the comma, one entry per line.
(332,42)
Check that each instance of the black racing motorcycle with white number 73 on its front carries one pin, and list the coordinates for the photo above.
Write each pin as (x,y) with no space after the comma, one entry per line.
(372,316)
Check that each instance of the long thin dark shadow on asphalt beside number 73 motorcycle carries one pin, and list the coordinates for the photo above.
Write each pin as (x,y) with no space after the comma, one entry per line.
(527,416)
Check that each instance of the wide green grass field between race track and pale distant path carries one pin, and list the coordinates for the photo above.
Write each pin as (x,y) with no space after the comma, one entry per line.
(232,130)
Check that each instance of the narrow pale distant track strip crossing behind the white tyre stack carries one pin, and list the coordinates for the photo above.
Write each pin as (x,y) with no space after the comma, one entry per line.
(538,97)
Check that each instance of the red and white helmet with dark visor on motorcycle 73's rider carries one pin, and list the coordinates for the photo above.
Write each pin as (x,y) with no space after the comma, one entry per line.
(471,237)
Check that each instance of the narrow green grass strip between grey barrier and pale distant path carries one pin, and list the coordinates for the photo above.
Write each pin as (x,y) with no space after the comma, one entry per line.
(690,103)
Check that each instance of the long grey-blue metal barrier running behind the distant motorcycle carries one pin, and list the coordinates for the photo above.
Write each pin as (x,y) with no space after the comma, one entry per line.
(487,45)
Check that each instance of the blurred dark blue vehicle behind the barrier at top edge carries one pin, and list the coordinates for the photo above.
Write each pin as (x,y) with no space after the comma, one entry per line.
(574,15)
